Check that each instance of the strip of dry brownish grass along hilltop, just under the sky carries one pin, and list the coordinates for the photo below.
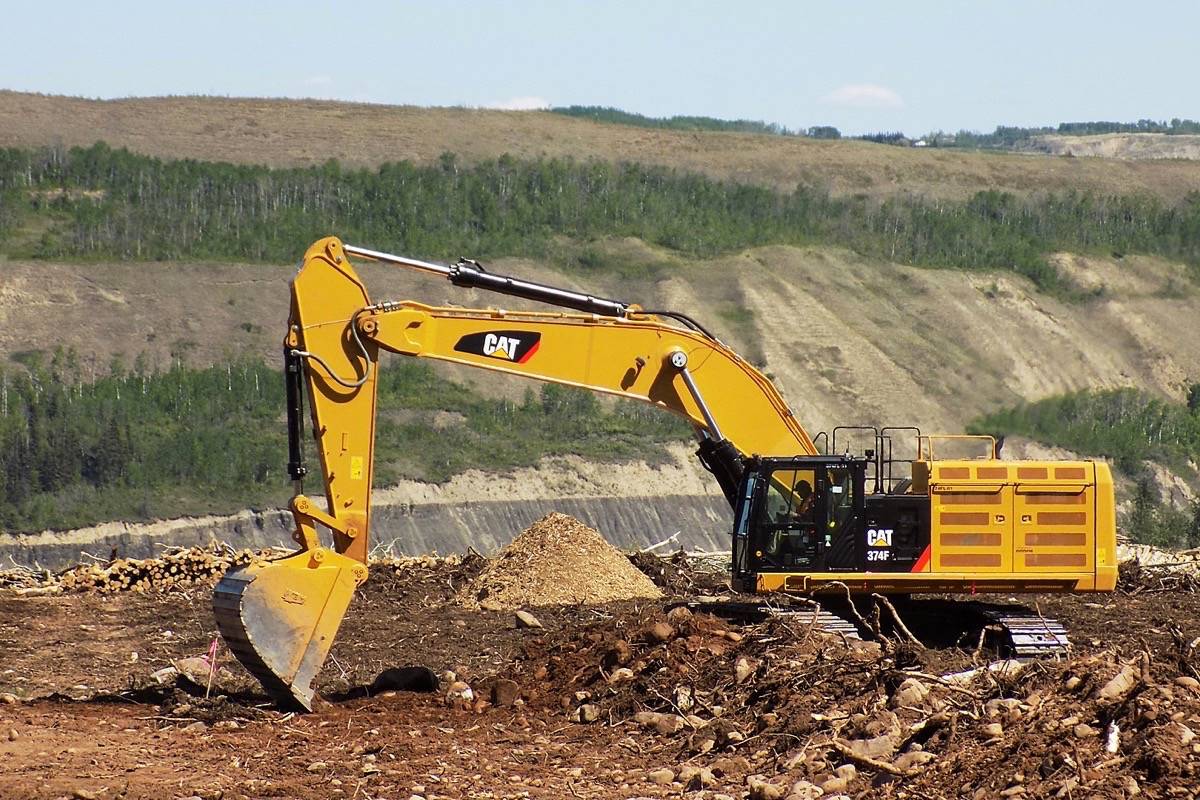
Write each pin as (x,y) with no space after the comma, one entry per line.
(285,133)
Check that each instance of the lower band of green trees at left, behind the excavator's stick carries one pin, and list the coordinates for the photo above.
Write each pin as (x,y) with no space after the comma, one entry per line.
(137,444)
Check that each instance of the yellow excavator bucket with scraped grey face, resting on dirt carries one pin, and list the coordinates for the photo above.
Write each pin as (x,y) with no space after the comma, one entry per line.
(280,618)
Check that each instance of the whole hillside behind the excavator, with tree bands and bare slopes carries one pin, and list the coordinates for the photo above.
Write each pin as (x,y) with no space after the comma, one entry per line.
(817,285)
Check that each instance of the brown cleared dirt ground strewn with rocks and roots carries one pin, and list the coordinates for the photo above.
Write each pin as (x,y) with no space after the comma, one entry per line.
(91,724)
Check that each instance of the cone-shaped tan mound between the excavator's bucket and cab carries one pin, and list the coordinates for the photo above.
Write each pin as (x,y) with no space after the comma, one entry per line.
(559,562)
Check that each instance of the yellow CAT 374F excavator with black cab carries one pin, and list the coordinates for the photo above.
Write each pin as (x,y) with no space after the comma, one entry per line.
(803,519)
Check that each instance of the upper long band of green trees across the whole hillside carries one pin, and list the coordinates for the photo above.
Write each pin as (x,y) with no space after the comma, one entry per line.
(104,203)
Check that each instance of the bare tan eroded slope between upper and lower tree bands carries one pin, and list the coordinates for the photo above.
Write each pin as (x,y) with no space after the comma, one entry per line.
(847,339)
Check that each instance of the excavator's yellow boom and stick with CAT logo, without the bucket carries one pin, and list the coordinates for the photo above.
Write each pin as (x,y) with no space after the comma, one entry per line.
(340,335)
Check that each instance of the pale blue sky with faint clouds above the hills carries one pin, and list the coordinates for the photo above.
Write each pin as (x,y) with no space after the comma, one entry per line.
(915,65)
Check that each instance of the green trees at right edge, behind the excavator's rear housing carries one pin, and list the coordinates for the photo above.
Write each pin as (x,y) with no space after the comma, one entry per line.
(1130,428)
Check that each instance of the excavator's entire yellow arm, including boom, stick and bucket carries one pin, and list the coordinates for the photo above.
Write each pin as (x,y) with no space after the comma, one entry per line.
(280,618)
